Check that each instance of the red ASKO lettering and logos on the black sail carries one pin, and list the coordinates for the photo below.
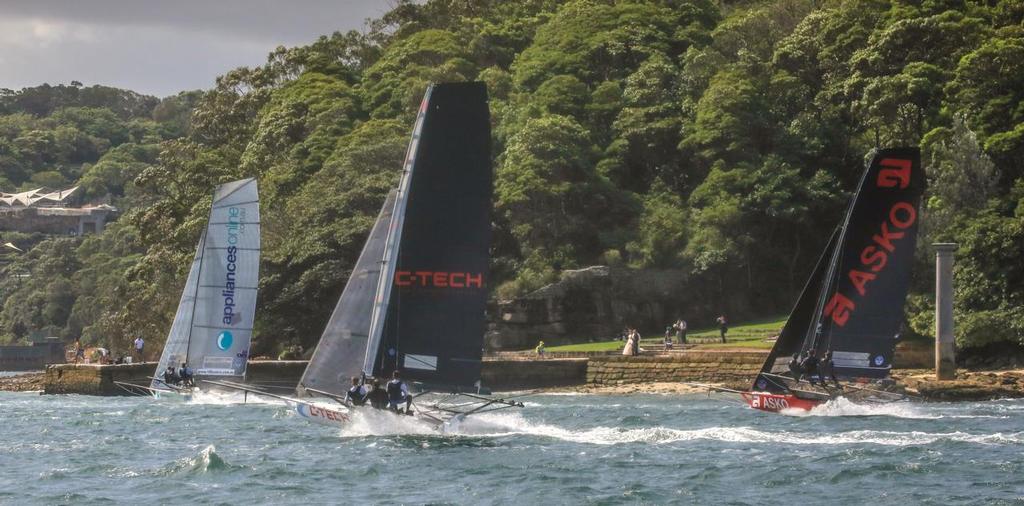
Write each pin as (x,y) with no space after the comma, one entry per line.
(895,174)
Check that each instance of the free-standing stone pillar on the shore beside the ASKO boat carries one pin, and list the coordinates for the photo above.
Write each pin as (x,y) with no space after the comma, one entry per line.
(946,363)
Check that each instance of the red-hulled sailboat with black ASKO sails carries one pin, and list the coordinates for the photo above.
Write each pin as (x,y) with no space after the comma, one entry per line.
(852,305)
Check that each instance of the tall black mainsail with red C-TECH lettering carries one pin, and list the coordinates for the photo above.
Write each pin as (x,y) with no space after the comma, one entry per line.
(435,324)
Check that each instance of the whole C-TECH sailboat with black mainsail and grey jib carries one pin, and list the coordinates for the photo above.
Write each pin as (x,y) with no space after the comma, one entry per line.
(415,302)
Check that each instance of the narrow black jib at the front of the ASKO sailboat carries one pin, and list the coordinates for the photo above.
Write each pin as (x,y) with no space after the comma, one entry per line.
(794,334)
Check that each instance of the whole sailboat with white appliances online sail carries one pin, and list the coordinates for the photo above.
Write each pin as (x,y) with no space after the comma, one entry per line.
(212,328)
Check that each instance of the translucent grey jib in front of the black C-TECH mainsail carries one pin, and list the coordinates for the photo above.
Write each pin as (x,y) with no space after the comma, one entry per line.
(342,351)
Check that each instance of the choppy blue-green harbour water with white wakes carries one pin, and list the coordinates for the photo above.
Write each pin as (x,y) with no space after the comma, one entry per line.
(560,450)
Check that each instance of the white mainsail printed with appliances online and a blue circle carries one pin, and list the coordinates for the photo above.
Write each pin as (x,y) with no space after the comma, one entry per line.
(226,305)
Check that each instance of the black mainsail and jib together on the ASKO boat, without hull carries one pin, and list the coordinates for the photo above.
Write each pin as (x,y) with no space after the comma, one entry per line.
(860,294)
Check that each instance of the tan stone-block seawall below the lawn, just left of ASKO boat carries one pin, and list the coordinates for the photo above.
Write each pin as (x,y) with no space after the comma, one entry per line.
(718,367)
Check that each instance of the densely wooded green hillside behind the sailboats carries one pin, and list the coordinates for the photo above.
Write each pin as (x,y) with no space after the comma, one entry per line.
(721,139)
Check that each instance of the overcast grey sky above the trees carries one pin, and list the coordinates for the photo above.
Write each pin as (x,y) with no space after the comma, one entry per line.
(159,48)
